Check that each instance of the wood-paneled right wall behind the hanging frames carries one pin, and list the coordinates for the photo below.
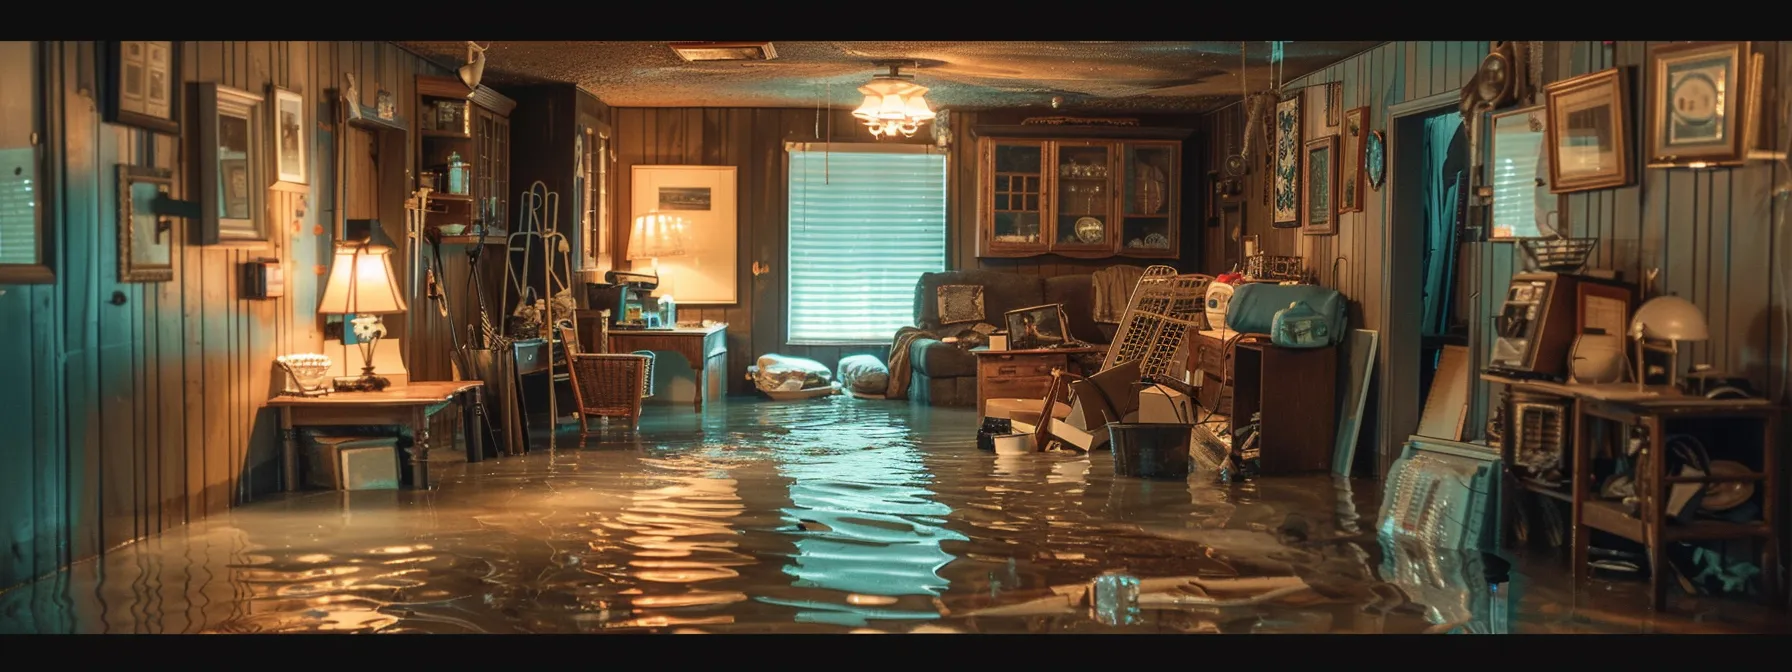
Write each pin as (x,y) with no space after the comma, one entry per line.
(1714,234)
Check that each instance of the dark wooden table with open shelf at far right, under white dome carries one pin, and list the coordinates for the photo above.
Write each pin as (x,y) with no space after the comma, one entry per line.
(1653,411)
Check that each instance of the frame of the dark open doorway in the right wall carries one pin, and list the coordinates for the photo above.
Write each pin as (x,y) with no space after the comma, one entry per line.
(1404,254)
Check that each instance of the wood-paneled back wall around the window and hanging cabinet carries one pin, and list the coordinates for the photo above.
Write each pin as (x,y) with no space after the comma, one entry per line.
(754,139)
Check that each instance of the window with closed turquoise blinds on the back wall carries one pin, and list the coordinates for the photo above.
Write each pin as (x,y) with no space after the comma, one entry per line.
(866,221)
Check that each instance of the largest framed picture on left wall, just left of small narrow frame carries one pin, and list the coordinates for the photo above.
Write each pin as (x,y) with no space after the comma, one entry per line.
(230,169)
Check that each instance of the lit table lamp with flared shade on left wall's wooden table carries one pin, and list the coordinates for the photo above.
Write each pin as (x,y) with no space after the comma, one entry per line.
(363,288)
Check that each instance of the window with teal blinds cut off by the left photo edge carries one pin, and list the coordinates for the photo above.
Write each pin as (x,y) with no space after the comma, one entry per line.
(22,239)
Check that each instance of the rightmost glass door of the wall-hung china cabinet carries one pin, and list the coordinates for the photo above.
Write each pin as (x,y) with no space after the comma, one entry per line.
(1148,200)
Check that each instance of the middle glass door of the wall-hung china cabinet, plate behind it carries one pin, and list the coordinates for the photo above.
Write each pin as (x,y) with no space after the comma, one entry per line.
(1085,203)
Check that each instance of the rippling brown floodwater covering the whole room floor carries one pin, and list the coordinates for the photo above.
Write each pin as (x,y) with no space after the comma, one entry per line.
(823,517)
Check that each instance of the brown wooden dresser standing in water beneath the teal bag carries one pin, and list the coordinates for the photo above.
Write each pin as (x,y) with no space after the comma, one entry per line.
(1295,390)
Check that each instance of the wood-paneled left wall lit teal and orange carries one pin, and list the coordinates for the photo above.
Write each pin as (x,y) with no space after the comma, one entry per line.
(141,406)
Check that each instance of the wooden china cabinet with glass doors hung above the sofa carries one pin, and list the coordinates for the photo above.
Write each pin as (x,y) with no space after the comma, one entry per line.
(1080,193)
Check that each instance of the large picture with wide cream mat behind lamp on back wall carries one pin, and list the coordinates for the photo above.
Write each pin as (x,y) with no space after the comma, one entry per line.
(703,196)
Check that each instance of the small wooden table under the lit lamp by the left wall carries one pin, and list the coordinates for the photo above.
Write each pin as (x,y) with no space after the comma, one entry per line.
(411,406)
